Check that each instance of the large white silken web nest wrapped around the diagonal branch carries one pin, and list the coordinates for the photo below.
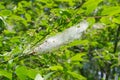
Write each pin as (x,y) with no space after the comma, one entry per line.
(62,38)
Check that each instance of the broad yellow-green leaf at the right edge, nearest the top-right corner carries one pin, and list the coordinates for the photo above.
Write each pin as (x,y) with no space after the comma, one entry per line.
(110,11)
